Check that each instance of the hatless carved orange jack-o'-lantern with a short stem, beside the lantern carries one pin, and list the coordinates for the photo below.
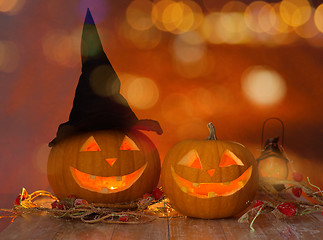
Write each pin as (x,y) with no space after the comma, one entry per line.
(209,178)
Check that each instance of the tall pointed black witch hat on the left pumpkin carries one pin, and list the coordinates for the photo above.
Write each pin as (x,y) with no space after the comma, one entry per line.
(98,104)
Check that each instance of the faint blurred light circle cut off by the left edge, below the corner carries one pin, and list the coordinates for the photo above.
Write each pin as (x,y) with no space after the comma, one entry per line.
(9,56)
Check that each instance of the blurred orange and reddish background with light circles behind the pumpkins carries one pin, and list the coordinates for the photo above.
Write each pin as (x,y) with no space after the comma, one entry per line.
(184,63)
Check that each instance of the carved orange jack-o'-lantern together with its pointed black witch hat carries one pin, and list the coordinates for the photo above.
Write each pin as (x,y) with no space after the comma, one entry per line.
(99,154)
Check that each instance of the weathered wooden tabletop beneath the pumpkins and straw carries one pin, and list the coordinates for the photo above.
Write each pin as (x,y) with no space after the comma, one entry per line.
(42,226)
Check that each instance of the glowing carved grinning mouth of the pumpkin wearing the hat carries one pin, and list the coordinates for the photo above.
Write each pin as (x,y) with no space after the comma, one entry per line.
(106,185)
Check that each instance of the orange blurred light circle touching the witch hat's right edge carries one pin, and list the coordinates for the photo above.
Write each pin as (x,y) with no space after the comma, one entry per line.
(141,92)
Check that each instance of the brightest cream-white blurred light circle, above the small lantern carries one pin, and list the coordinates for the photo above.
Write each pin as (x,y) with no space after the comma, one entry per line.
(263,85)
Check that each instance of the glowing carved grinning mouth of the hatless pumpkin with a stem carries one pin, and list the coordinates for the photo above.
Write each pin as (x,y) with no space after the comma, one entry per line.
(209,190)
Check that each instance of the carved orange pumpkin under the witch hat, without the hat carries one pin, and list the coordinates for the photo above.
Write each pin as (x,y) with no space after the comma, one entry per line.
(104,166)
